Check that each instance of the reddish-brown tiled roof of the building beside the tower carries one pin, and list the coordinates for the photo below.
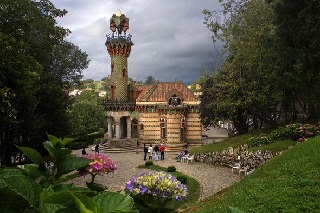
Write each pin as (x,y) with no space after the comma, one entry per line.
(162,91)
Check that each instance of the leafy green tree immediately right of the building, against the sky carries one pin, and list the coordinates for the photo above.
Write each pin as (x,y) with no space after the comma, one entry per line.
(246,89)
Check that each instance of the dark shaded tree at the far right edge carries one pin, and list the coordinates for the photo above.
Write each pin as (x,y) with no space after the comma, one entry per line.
(297,28)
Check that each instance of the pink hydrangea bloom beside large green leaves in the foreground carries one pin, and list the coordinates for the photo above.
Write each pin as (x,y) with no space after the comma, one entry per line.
(100,164)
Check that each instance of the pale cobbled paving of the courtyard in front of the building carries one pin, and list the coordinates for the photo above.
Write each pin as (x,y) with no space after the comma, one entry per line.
(211,178)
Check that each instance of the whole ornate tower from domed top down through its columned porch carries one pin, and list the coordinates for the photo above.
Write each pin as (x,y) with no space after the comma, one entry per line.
(121,104)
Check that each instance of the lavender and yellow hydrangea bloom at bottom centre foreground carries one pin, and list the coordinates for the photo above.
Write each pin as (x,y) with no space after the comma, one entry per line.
(156,189)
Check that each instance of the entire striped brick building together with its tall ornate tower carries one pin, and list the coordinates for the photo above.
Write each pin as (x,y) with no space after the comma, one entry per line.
(163,112)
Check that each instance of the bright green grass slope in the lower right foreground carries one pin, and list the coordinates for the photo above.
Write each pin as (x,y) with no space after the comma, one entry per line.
(288,183)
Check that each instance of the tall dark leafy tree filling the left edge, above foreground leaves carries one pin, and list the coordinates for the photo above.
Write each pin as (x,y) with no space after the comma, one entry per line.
(38,66)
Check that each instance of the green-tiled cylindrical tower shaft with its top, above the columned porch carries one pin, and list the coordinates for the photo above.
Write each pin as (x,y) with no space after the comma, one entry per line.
(119,48)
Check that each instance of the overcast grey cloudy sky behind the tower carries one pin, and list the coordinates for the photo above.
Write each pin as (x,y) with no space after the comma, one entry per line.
(170,40)
